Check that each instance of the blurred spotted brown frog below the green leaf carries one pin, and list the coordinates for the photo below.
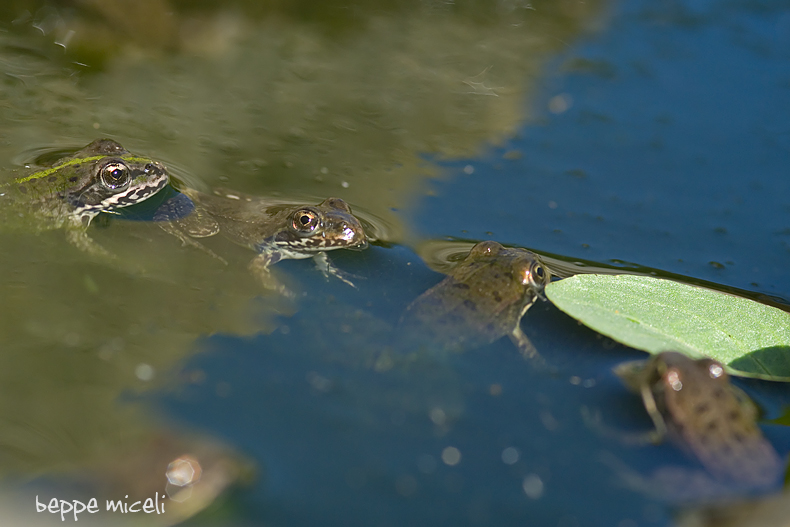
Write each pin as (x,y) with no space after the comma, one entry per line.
(694,405)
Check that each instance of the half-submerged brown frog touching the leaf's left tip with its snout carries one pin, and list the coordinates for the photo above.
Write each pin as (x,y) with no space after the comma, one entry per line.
(482,299)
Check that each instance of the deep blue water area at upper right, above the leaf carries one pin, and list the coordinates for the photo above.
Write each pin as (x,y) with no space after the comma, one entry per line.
(673,152)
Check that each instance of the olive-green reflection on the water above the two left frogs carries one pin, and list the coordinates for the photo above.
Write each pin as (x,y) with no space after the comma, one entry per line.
(282,106)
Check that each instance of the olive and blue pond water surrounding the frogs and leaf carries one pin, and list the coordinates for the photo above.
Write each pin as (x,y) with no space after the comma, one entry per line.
(622,134)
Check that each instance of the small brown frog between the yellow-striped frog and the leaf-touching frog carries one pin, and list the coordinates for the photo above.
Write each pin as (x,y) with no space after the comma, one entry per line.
(275,229)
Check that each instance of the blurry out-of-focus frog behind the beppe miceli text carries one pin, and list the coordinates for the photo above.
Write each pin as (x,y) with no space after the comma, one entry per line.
(170,474)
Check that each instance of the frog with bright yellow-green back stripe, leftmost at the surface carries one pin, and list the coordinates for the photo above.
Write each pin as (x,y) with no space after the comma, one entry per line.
(102,177)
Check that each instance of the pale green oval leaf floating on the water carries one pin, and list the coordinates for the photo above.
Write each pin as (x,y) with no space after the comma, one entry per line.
(656,315)
